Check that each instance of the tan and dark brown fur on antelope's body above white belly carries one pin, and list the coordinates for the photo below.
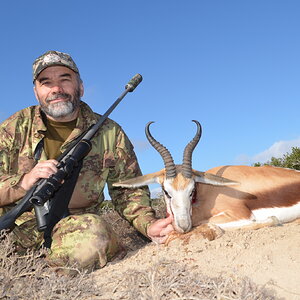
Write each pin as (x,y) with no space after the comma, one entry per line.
(260,187)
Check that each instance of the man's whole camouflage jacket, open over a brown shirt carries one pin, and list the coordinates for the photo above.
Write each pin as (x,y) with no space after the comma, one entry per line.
(111,159)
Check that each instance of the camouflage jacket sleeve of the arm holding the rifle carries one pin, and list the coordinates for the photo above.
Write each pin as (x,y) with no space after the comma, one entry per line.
(10,191)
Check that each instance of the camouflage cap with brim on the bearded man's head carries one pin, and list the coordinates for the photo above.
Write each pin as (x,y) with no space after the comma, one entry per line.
(52,58)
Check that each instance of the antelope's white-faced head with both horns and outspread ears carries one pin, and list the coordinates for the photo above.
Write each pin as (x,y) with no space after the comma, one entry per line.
(178,182)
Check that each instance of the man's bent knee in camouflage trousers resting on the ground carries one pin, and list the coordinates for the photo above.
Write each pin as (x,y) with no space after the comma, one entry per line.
(86,241)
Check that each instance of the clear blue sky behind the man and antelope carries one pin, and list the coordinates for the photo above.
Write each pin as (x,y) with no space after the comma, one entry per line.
(232,65)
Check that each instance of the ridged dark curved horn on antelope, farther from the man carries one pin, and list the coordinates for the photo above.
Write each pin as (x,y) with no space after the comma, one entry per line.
(188,151)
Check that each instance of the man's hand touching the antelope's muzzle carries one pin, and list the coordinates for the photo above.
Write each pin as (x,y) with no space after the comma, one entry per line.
(158,231)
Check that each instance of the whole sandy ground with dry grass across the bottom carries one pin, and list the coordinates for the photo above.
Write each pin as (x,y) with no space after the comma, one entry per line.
(245,265)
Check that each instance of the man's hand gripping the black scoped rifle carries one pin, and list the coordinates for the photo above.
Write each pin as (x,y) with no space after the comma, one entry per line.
(41,170)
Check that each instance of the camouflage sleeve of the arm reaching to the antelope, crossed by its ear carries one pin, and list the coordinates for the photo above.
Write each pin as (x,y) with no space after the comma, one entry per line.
(132,204)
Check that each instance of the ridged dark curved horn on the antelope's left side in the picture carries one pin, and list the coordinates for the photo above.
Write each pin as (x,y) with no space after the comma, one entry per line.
(163,151)
